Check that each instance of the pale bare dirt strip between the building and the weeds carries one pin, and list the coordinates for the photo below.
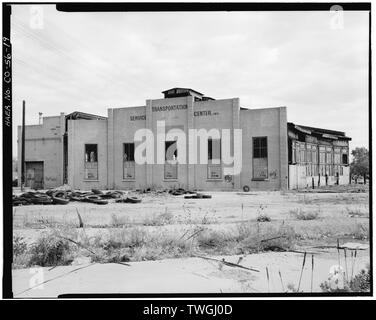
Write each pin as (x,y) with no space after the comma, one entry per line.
(223,208)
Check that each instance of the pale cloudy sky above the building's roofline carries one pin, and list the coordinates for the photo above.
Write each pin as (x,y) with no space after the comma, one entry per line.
(314,63)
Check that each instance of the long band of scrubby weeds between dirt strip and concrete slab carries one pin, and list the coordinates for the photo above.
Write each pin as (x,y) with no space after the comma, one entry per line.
(136,243)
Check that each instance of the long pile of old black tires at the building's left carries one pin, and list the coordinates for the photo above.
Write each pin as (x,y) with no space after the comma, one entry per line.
(64,197)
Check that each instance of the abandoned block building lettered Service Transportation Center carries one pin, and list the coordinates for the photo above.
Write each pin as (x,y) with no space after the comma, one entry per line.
(88,151)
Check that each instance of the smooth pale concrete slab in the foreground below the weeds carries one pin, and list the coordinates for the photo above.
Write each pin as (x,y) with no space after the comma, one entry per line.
(188,275)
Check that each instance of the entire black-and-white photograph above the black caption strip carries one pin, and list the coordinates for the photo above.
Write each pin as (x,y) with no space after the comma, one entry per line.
(162,149)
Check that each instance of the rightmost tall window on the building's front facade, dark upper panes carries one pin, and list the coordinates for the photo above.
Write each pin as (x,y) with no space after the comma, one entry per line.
(260,158)
